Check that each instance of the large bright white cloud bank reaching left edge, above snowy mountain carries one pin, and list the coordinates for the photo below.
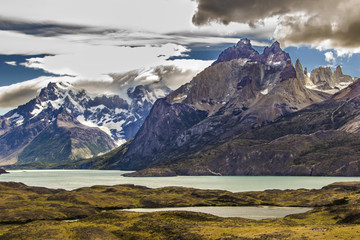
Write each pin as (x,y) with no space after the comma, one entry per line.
(83,59)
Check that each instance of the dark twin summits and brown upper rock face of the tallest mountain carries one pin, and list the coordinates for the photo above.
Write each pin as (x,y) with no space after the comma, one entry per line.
(242,81)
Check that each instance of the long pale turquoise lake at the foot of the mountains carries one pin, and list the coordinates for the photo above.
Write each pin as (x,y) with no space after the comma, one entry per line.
(72,179)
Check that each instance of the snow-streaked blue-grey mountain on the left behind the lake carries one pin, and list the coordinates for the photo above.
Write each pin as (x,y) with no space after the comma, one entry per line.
(64,123)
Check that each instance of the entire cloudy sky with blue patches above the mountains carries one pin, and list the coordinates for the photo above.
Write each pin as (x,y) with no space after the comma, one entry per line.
(87,42)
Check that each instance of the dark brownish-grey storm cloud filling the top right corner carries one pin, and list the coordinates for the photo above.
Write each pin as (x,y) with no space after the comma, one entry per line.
(305,21)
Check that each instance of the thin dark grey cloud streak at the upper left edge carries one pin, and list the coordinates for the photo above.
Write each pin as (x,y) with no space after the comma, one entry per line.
(46,29)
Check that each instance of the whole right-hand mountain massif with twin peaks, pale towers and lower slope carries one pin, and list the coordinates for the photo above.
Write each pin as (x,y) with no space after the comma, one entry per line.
(249,114)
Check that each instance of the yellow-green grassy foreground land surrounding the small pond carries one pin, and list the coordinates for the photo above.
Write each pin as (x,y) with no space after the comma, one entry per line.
(92,213)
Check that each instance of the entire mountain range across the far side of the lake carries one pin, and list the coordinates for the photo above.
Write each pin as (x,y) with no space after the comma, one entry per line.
(246,114)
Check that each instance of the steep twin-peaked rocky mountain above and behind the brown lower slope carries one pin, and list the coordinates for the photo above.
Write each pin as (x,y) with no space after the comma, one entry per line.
(241,91)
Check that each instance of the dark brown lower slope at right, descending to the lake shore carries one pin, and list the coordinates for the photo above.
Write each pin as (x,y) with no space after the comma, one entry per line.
(321,139)
